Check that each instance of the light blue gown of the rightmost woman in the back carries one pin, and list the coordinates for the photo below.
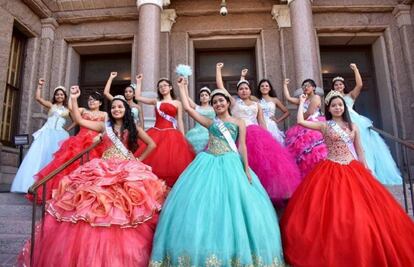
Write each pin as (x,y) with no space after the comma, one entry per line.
(377,153)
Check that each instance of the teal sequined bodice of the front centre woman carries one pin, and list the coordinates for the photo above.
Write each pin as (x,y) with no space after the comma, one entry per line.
(217,143)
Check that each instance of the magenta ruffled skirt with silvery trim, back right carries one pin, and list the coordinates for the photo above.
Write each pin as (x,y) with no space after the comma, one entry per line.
(307,146)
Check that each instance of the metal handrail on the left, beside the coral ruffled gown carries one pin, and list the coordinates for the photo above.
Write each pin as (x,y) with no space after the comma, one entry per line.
(42,183)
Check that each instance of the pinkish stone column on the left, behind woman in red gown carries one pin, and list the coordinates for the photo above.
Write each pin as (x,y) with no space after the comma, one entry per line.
(149,50)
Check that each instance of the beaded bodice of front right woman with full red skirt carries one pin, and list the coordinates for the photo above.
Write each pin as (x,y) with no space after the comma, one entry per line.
(338,150)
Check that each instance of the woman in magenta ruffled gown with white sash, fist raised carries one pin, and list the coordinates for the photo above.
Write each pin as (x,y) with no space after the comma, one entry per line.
(306,145)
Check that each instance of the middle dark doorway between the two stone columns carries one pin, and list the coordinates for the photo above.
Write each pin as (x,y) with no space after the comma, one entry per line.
(234,61)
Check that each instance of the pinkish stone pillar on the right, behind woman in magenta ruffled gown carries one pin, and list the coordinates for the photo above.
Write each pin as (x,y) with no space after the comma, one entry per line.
(304,41)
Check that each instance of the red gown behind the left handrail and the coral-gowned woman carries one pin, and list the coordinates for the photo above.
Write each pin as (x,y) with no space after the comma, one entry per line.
(69,149)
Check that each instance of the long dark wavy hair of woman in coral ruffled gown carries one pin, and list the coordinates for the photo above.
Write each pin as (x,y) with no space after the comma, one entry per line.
(127,124)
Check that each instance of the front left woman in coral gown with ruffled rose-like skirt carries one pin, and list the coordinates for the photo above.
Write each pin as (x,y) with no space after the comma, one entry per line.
(104,213)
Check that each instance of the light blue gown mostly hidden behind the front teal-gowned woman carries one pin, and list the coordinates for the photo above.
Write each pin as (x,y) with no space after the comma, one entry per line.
(198,136)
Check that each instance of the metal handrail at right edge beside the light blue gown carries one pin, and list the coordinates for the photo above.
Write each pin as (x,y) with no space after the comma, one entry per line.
(404,145)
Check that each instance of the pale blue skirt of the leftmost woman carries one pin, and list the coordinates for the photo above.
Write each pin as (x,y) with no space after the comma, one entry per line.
(45,143)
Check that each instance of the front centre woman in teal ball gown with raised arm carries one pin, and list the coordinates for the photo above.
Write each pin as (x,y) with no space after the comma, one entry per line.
(218,213)
